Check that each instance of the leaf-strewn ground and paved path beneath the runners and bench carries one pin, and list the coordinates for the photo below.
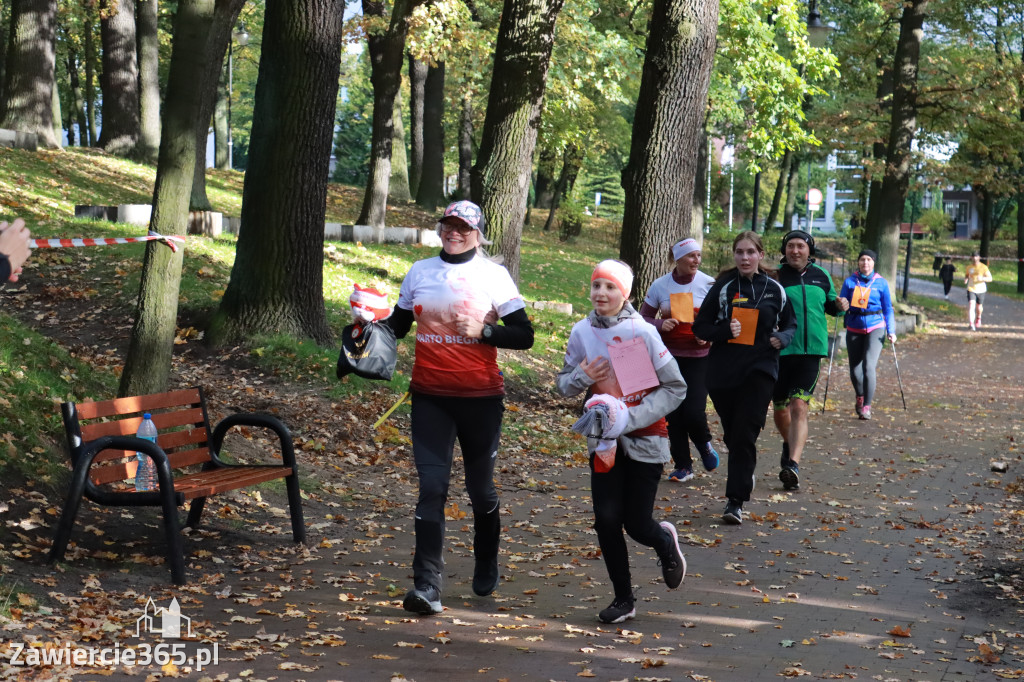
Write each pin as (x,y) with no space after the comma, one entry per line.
(899,560)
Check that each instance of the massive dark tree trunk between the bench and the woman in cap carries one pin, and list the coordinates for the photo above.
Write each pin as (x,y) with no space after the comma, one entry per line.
(277,283)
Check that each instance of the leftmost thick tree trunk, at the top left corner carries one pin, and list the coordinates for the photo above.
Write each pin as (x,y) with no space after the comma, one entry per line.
(29,84)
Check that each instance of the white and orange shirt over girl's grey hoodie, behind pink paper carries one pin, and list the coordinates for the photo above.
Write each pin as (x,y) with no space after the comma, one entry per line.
(589,343)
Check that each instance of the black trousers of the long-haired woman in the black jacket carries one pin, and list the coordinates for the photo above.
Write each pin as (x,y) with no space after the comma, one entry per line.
(743,410)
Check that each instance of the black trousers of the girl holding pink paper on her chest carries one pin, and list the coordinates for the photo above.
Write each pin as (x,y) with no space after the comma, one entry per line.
(624,498)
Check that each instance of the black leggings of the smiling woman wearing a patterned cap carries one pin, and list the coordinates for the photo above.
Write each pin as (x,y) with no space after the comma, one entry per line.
(437,423)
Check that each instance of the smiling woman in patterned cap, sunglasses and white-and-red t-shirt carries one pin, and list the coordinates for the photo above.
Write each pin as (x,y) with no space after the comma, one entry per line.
(456,301)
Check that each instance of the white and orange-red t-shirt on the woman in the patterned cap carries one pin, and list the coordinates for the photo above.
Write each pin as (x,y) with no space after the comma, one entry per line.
(448,364)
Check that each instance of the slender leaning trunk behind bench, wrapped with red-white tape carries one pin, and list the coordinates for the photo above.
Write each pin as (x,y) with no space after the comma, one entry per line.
(148,365)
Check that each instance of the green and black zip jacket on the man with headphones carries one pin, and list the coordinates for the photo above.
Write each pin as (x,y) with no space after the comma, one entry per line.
(812,294)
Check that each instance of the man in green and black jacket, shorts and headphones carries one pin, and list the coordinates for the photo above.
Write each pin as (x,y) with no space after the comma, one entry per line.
(812,293)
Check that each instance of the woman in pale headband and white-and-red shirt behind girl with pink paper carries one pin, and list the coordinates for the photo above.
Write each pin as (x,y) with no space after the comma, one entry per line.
(688,286)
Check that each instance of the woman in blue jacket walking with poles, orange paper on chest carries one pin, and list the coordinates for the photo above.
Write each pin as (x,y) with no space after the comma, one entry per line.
(869,321)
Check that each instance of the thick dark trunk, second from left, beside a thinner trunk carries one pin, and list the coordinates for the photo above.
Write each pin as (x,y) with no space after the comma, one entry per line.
(119,80)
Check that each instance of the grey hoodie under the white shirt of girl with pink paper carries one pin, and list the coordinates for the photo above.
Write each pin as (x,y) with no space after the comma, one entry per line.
(666,398)
